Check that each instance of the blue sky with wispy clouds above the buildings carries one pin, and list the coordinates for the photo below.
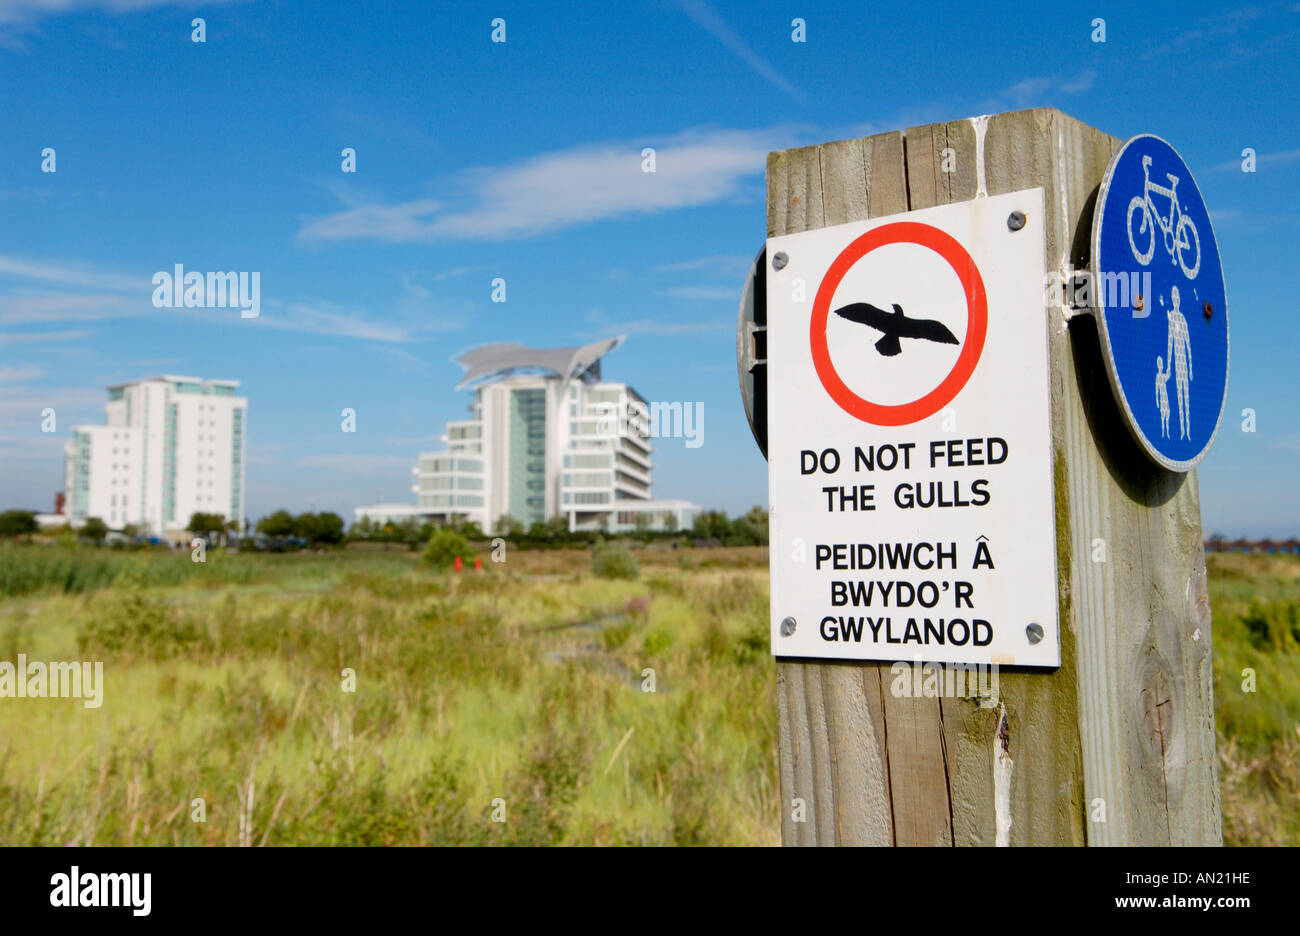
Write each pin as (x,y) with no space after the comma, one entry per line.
(522,161)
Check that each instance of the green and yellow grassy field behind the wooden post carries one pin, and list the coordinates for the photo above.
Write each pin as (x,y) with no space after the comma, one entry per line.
(522,688)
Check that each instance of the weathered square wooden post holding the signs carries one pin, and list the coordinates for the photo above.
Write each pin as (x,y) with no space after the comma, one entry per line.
(1115,748)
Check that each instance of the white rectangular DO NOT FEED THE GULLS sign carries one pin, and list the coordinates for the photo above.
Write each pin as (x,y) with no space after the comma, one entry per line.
(911,441)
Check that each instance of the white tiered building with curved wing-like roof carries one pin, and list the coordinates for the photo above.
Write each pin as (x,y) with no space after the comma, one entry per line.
(547,437)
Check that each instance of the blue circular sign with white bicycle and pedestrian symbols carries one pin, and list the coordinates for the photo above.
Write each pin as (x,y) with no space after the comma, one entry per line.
(1158,293)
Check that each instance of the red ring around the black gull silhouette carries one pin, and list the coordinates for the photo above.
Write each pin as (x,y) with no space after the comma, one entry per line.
(977,324)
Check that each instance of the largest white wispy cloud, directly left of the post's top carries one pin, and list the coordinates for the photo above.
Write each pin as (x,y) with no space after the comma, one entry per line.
(557,190)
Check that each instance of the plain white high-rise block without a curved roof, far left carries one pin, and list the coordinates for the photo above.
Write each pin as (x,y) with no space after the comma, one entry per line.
(174,447)
